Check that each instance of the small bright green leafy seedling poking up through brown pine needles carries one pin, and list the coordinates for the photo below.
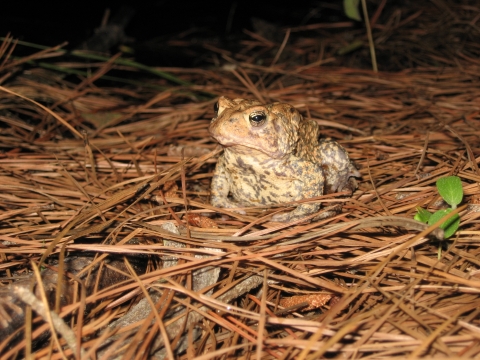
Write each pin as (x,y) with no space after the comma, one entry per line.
(450,189)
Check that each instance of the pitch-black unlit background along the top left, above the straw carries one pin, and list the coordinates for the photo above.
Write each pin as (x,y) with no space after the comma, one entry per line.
(52,22)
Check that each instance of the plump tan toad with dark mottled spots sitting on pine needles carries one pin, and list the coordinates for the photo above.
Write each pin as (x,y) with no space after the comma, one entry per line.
(272,155)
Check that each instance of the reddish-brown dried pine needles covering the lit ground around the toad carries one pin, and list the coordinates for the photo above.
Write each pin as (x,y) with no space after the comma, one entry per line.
(93,173)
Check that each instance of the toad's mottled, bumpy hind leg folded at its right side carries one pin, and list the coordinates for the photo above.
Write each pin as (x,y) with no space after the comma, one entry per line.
(337,167)
